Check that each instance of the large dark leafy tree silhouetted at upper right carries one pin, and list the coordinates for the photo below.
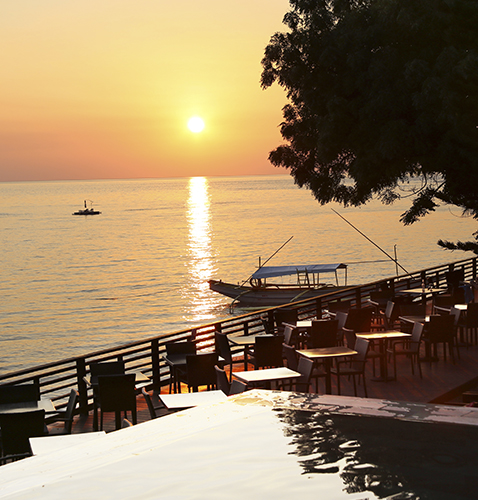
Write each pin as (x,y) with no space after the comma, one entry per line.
(382,93)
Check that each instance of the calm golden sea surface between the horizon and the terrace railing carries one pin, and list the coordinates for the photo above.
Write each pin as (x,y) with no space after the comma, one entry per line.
(72,285)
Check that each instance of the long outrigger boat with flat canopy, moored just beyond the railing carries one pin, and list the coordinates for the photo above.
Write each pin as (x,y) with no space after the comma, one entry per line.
(259,292)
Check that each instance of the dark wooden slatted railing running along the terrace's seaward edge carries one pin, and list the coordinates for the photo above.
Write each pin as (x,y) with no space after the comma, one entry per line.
(56,379)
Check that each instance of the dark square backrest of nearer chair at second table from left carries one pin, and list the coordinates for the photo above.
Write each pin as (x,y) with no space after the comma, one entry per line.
(117,392)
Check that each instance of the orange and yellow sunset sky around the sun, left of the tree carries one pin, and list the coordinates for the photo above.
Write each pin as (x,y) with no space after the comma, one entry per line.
(94,89)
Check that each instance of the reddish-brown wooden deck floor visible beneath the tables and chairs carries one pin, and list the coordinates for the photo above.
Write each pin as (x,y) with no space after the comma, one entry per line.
(443,382)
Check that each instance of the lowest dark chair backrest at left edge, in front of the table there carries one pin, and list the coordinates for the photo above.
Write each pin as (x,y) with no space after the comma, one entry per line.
(18,428)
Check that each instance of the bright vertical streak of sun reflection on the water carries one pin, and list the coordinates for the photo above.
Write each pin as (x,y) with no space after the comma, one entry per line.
(200,263)
